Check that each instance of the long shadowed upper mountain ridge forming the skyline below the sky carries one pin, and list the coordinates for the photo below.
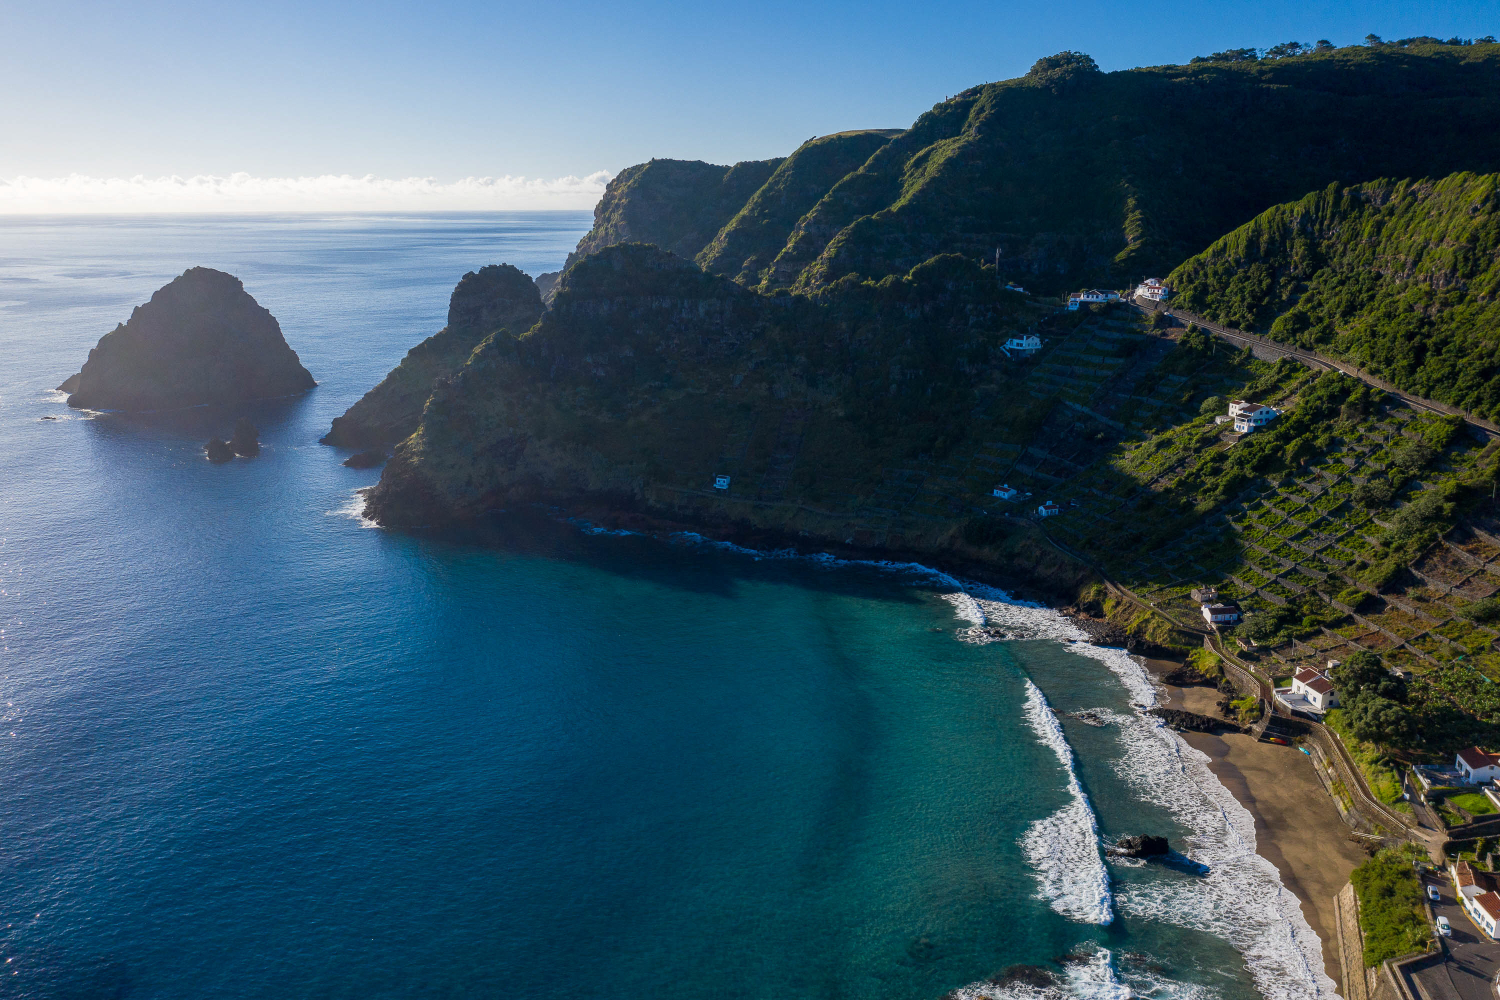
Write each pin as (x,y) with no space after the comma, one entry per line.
(1075,176)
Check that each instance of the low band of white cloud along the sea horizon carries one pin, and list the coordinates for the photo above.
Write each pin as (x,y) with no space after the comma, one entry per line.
(79,194)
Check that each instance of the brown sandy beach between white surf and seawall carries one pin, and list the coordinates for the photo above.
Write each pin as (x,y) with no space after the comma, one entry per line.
(1298,827)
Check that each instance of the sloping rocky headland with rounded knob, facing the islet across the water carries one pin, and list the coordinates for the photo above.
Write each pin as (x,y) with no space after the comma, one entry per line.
(496,298)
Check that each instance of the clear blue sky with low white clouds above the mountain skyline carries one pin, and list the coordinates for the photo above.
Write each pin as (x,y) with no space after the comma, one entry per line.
(161,106)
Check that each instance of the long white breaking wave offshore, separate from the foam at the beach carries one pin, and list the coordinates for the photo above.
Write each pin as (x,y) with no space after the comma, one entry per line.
(1064,848)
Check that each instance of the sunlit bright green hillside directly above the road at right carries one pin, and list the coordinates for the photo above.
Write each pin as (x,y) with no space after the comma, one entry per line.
(1402,278)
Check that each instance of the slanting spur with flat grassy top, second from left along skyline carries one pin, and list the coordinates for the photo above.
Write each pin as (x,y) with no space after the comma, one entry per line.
(751,242)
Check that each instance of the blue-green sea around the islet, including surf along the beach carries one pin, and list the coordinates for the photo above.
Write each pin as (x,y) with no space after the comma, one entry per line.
(253,747)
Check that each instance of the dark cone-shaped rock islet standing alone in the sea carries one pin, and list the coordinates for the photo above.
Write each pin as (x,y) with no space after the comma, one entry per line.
(200,340)
